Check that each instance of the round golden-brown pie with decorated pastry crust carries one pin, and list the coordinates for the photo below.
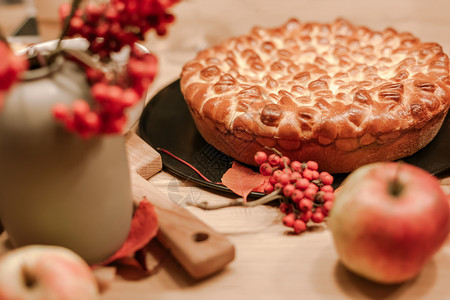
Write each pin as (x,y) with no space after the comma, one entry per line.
(339,94)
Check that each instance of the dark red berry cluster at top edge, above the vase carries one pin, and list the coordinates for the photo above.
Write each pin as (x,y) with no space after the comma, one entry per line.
(110,26)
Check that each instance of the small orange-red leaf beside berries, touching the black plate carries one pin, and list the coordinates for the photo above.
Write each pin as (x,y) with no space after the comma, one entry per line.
(242,180)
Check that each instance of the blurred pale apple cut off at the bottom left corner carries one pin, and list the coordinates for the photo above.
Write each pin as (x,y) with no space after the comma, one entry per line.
(46,272)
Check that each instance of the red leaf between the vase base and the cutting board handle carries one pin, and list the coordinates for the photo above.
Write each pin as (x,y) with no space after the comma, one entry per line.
(144,227)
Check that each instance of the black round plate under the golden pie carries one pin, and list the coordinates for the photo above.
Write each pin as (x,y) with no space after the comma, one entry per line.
(166,123)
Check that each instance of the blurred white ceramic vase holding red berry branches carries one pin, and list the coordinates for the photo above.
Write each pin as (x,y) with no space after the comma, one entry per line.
(55,187)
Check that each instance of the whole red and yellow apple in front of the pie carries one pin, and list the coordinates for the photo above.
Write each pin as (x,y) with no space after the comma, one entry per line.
(388,220)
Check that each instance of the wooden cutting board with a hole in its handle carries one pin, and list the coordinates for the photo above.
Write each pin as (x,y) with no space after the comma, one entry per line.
(197,247)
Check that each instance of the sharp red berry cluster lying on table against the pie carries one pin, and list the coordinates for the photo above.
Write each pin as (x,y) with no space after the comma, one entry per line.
(307,193)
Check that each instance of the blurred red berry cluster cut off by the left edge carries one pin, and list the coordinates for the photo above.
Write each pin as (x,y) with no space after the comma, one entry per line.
(11,66)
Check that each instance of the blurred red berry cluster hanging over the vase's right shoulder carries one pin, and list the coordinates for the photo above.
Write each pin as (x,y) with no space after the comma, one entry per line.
(112,96)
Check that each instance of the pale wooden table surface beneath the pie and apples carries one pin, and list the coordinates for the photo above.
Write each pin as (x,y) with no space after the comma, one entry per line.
(269,262)
